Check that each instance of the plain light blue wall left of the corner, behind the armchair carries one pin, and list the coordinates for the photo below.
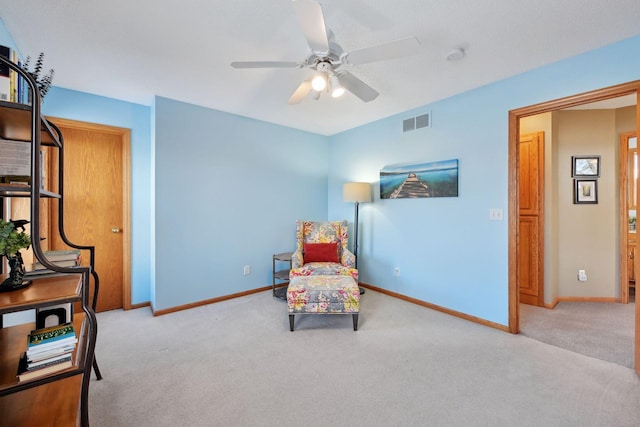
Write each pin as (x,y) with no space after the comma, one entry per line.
(228,190)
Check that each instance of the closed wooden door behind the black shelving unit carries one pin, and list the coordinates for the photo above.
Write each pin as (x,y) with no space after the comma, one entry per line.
(96,204)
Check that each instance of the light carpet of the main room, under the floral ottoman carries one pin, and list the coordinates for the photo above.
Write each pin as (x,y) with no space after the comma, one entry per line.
(235,363)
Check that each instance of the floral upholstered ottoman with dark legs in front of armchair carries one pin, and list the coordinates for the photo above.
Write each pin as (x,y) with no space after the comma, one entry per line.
(323,295)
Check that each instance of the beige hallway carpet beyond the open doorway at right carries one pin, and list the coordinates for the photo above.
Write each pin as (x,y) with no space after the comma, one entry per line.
(597,329)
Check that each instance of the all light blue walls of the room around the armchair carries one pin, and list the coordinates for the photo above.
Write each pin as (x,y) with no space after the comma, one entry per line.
(221,191)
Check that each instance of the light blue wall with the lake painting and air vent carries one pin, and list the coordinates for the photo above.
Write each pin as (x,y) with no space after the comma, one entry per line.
(448,251)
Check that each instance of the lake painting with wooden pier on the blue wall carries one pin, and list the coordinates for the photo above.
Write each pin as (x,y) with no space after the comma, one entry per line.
(435,179)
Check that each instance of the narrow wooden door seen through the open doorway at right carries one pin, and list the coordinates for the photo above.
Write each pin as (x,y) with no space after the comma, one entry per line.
(530,219)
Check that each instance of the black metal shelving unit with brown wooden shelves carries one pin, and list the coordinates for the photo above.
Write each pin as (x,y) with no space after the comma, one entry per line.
(24,123)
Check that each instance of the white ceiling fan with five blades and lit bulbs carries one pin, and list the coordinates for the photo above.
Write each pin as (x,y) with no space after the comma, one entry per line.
(327,58)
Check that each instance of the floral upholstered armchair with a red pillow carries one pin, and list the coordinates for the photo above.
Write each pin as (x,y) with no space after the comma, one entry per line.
(321,250)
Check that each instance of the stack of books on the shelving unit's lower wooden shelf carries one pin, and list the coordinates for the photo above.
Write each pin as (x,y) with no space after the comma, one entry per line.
(49,350)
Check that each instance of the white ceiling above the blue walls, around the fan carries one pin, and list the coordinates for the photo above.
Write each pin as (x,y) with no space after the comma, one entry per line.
(181,49)
